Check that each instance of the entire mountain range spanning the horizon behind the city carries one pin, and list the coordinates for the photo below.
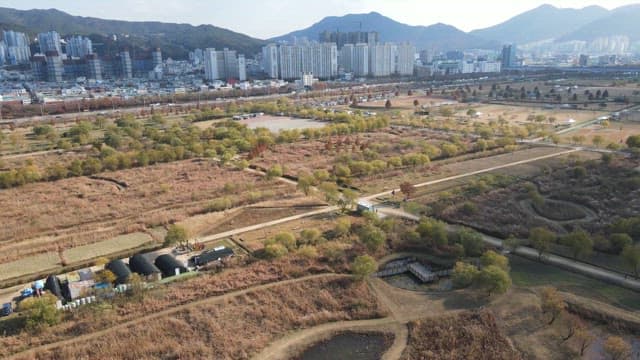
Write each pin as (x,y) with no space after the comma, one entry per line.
(545,23)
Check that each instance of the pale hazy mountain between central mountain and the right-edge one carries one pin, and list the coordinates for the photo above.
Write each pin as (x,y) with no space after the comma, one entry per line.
(542,23)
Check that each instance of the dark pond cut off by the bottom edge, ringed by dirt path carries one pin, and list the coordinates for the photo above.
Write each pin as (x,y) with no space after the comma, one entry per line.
(350,345)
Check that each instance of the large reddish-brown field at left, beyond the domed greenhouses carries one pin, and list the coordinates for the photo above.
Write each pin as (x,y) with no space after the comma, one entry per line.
(79,211)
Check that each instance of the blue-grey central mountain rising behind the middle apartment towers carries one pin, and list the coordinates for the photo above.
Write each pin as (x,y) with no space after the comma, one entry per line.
(437,37)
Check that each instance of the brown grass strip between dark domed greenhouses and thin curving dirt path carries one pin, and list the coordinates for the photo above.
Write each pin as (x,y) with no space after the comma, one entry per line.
(90,319)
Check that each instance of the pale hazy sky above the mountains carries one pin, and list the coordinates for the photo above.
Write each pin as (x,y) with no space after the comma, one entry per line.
(268,18)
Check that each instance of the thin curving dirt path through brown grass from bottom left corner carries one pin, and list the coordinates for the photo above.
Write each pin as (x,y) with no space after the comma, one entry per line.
(218,299)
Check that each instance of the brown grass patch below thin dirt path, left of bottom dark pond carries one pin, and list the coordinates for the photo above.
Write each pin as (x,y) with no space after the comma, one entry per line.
(236,329)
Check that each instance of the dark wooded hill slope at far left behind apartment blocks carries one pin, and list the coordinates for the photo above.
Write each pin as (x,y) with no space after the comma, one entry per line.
(175,39)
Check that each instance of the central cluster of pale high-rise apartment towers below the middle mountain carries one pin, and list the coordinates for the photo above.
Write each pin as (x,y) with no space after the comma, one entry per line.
(358,53)
